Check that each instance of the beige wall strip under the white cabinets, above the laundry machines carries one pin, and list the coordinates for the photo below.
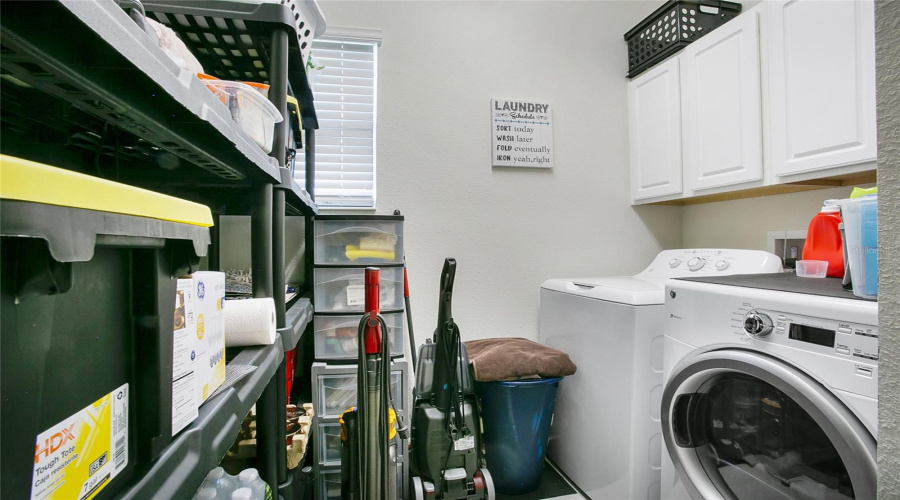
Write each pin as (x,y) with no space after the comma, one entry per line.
(744,223)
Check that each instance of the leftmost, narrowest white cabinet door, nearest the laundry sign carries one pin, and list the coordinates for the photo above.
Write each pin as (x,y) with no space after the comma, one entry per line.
(654,106)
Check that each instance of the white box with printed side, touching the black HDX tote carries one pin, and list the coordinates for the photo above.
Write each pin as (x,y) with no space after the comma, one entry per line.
(184,358)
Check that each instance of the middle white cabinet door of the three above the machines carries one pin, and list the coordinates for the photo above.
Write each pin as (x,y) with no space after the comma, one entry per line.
(721,106)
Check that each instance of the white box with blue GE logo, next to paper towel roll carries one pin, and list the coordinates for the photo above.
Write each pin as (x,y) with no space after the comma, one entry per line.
(209,300)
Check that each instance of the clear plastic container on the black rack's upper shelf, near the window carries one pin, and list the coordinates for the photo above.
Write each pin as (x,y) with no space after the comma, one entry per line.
(249,109)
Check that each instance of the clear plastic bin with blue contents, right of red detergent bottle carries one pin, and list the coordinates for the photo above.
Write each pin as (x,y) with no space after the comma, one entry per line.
(860,216)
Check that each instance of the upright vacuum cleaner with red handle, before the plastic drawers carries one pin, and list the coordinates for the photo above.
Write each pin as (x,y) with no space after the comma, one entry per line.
(368,433)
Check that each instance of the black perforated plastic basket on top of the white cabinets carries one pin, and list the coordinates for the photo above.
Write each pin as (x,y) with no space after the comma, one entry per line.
(671,28)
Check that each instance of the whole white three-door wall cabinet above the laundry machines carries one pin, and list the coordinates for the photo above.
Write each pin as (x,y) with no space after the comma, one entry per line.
(799,73)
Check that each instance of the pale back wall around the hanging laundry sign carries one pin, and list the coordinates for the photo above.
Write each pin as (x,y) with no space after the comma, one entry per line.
(509,229)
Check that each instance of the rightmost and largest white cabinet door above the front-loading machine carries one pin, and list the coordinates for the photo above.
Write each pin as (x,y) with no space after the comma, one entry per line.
(822,80)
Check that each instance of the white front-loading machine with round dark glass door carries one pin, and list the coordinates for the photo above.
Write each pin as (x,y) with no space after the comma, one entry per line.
(771,389)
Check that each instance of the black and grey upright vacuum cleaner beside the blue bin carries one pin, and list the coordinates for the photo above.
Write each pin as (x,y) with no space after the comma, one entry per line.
(446,443)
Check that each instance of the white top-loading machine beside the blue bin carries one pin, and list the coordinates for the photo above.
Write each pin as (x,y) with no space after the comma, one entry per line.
(606,434)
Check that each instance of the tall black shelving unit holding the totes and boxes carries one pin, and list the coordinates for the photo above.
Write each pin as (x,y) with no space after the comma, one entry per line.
(85,88)
